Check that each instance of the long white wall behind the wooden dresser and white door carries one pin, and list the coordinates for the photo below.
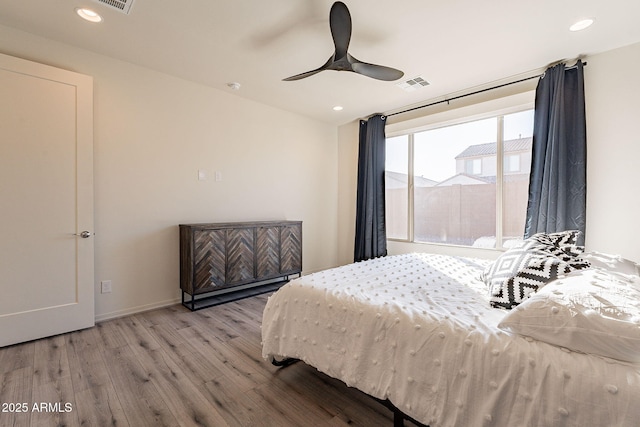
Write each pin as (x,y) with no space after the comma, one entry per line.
(152,133)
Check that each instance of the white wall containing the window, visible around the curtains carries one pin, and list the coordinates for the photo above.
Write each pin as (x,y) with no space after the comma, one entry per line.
(612,97)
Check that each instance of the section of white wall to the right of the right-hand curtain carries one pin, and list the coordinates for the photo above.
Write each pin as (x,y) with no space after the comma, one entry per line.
(612,93)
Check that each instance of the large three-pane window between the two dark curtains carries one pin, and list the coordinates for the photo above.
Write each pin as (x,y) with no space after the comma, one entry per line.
(446,185)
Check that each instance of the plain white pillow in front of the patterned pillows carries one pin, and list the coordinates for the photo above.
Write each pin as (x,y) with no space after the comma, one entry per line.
(592,311)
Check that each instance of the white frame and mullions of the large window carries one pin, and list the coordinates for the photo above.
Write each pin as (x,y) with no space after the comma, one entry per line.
(452,118)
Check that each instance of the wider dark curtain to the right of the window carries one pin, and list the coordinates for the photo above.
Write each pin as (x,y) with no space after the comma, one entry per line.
(558,180)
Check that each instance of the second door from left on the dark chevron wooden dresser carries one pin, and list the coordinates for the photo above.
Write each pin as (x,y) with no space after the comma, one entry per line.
(240,256)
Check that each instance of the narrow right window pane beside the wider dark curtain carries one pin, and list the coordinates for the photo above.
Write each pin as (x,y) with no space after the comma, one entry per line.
(518,131)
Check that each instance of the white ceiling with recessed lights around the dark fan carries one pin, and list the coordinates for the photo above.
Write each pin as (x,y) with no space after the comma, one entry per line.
(455,44)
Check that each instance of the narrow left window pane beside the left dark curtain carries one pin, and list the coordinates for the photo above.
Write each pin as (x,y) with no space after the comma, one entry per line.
(397,187)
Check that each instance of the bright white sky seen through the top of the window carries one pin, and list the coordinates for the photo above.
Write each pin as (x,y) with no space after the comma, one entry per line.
(436,149)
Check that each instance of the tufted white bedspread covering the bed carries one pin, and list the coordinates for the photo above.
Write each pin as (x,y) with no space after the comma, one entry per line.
(417,329)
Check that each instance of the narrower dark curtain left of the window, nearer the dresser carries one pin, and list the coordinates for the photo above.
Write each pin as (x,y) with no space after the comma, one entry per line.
(371,238)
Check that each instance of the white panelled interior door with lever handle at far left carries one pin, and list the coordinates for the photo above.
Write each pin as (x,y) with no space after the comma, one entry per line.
(46,201)
